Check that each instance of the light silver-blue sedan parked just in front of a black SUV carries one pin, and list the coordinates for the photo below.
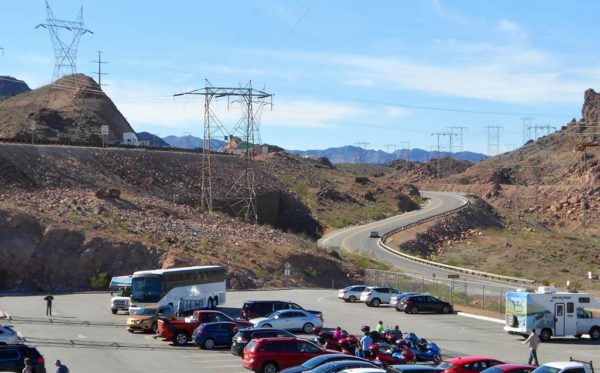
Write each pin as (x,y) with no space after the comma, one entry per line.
(289,320)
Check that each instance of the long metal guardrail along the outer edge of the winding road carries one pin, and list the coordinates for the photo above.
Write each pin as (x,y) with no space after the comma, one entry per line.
(468,271)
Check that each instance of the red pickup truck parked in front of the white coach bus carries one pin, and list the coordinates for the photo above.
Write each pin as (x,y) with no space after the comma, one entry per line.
(180,332)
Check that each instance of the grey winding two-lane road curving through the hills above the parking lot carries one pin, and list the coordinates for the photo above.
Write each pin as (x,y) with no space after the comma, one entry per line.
(356,239)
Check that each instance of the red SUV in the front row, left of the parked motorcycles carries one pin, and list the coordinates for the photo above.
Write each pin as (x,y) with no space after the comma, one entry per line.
(270,355)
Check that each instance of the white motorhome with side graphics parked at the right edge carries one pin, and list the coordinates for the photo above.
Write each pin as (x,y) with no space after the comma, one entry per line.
(551,313)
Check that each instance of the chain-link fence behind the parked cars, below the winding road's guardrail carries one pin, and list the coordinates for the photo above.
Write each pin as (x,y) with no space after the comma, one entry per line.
(490,297)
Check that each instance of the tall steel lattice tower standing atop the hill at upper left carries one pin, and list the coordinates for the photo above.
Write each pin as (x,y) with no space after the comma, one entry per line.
(65,37)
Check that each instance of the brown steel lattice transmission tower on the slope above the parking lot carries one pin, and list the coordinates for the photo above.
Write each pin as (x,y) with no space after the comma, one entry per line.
(240,194)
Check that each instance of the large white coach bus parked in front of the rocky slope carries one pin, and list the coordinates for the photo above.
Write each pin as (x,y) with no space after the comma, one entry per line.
(199,286)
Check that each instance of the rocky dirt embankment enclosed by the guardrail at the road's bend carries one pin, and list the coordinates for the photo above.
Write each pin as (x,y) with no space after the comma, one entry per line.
(428,240)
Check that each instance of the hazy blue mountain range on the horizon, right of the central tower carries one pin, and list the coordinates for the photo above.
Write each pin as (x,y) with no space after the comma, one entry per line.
(354,154)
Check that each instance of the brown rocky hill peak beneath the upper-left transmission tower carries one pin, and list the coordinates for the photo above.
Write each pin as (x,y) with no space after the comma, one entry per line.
(71,109)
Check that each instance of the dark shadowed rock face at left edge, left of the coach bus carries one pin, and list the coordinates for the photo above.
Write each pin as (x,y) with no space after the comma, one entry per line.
(38,257)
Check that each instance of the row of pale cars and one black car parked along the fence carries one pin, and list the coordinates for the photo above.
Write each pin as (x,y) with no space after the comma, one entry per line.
(408,302)
